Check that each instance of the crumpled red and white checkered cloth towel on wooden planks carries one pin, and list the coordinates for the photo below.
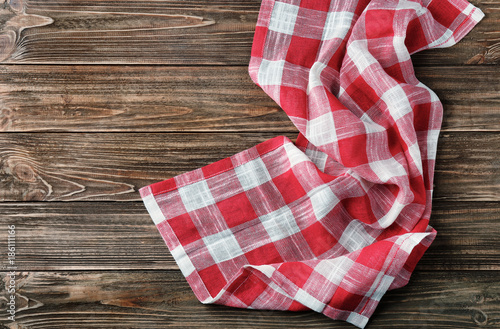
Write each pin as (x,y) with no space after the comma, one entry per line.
(333,221)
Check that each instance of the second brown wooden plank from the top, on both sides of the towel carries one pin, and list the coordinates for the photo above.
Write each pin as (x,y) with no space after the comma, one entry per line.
(173,99)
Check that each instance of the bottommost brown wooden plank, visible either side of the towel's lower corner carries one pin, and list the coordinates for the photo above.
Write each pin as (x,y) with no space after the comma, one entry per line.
(163,299)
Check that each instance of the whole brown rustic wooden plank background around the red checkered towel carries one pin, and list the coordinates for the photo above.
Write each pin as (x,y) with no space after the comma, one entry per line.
(99,98)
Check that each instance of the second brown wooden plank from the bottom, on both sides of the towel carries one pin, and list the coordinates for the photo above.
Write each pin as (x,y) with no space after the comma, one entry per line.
(122,236)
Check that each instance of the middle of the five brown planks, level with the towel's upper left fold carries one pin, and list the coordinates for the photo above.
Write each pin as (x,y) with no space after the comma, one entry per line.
(112,166)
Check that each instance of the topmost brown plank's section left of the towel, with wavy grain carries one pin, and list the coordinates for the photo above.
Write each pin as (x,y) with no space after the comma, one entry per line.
(134,32)
